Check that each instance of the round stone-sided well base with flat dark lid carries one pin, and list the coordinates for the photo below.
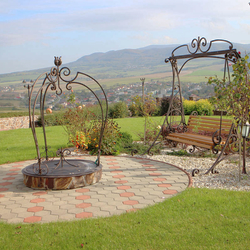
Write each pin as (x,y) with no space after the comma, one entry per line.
(73,174)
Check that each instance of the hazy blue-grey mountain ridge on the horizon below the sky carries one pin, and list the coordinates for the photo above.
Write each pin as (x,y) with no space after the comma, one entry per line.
(117,63)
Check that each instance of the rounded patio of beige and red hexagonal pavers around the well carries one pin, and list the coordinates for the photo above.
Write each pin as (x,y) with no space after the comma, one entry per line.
(127,184)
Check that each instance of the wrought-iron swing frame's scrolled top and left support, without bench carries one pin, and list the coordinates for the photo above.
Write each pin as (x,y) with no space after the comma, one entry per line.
(199,48)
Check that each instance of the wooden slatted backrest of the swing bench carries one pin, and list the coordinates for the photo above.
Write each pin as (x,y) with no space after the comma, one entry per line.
(208,124)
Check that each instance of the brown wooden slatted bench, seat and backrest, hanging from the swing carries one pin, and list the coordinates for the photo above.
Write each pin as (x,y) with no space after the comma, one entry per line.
(202,131)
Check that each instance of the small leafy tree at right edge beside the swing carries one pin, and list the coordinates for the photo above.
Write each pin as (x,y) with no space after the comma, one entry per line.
(234,96)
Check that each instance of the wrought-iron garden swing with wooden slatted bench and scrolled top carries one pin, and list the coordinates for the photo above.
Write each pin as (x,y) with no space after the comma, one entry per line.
(204,132)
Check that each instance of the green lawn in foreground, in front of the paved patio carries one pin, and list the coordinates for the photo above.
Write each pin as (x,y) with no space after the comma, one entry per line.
(194,219)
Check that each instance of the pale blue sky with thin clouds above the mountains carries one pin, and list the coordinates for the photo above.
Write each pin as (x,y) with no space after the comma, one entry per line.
(33,32)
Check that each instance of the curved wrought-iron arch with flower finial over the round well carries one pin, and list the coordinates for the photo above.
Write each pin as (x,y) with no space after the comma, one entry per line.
(53,81)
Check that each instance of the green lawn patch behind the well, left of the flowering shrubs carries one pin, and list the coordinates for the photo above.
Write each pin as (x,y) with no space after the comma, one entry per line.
(19,145)
